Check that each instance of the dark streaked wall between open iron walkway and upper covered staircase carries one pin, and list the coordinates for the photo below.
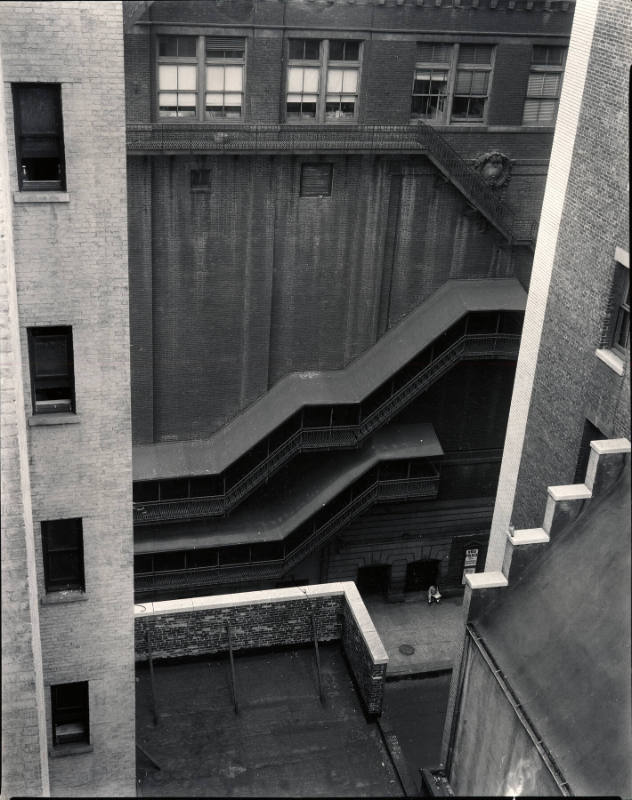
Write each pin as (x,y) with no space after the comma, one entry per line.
(236,287)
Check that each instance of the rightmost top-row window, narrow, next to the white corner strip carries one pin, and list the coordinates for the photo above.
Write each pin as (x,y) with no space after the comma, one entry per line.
(545,85)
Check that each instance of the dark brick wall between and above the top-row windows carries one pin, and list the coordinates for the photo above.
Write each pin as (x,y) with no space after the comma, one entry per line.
(388,60)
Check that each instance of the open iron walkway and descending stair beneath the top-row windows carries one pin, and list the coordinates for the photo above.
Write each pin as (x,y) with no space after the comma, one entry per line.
(259,139)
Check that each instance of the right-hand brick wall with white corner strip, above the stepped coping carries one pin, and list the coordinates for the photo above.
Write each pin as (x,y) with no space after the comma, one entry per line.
(559,380)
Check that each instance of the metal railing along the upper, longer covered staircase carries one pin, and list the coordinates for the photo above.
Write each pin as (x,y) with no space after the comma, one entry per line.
(468,346)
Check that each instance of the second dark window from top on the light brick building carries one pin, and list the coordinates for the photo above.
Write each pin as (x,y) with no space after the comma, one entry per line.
(52,375)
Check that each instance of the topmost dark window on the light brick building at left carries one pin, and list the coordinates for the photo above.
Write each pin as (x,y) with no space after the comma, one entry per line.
(39,136)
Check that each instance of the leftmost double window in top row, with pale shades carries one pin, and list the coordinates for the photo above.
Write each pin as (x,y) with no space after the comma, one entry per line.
(201,77)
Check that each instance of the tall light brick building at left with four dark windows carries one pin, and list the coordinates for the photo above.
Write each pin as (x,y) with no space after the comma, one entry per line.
(67,601)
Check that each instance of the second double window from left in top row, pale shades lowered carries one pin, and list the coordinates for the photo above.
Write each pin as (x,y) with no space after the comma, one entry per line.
(322,80)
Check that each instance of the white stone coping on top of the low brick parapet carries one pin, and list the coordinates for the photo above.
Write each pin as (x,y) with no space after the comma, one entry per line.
(347,589)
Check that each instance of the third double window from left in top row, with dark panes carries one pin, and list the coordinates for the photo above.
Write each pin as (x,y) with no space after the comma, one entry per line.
(451,82)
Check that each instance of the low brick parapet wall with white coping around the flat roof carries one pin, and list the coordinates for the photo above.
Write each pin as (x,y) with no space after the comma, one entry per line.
(278,617)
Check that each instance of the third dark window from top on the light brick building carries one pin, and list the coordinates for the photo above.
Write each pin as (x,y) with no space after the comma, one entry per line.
(62,544)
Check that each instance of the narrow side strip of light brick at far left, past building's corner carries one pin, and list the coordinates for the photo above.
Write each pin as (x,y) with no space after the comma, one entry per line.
(24,760)
